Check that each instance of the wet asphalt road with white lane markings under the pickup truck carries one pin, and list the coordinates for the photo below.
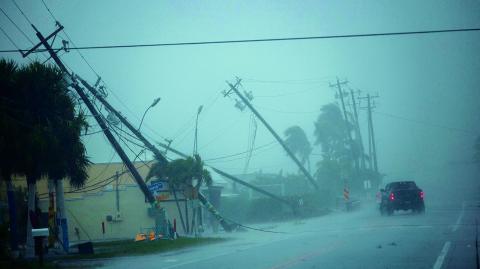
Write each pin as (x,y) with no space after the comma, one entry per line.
(444,237)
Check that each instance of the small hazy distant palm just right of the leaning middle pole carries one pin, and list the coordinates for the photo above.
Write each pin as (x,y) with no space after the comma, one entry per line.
(297,141)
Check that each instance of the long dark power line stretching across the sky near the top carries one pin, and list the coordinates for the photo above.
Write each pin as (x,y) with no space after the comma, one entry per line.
(265,39)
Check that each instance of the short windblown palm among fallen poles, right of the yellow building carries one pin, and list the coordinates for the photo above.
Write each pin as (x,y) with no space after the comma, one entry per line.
(180,174)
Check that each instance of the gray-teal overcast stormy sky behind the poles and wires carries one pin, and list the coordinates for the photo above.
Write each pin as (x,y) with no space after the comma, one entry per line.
(428,78)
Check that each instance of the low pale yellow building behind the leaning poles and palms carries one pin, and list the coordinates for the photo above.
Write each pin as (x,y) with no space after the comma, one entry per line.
(96,203)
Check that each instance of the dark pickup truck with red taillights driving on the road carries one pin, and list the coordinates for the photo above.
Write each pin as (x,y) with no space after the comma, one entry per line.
(401,195)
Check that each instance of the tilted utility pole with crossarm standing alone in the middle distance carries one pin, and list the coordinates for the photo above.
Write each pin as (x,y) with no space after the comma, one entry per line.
(277,137)
